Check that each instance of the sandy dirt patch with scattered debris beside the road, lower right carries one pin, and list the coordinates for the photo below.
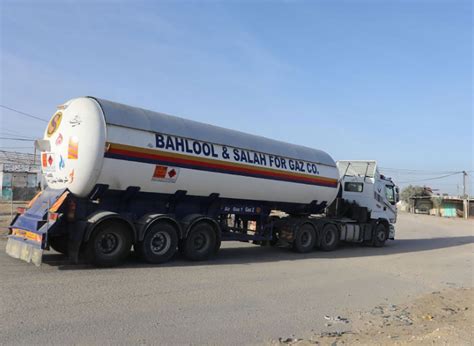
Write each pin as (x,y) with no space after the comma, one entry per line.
(441,317)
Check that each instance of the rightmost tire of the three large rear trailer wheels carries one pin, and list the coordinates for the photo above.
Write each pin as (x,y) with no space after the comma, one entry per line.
(201,242)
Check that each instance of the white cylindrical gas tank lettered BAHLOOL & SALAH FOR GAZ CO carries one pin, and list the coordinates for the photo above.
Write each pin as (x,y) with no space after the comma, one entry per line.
(94,141)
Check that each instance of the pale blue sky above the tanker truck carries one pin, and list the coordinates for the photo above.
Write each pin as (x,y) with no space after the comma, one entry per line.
(384,80)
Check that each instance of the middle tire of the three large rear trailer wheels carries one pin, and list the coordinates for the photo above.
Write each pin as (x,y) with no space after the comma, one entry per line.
(159,244)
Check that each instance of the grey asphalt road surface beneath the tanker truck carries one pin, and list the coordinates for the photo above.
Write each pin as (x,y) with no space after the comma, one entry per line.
(246,295)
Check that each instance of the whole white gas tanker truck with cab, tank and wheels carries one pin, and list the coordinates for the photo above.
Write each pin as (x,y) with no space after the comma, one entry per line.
(121,178)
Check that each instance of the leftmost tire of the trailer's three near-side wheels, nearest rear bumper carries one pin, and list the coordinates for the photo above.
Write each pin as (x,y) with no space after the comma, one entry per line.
(109,245)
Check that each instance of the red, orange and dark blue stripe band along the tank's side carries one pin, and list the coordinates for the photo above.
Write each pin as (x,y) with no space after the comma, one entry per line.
(159,157)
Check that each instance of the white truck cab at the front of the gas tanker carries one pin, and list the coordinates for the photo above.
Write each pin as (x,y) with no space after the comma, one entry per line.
(362,183)
